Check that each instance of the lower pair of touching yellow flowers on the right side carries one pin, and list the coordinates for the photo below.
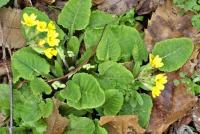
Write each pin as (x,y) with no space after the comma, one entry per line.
(160,81)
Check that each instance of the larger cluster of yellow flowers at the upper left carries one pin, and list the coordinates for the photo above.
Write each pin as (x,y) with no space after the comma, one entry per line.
(50,41)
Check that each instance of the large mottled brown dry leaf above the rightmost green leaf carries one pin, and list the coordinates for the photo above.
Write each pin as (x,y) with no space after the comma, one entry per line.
(166,23)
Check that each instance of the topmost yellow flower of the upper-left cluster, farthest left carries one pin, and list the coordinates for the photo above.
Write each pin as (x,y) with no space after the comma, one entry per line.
(29,20)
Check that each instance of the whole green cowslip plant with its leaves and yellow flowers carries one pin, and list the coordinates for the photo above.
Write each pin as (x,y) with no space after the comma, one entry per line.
(85,68)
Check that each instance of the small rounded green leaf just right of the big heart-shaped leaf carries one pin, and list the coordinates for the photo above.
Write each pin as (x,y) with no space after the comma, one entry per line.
(113,103)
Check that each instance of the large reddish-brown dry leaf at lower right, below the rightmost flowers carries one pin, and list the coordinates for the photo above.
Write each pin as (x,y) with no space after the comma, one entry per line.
(171,105)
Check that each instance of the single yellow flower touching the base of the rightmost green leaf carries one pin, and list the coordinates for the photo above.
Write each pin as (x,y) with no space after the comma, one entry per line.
(155,61)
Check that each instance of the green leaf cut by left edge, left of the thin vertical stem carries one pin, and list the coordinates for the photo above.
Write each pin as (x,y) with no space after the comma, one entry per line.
(4,98)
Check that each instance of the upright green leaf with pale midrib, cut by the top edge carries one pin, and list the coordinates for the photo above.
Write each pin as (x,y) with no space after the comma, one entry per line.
(75,15)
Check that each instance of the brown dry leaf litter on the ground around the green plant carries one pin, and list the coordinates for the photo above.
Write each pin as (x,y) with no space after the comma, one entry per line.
(173,103)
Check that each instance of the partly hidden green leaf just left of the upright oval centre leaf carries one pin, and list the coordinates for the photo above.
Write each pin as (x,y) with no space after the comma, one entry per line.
(92,37)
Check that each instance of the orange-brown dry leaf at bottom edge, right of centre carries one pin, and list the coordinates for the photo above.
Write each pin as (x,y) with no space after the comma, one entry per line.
(124,124)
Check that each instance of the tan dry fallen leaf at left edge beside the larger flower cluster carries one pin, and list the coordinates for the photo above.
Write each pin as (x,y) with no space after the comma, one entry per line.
(10,22)
